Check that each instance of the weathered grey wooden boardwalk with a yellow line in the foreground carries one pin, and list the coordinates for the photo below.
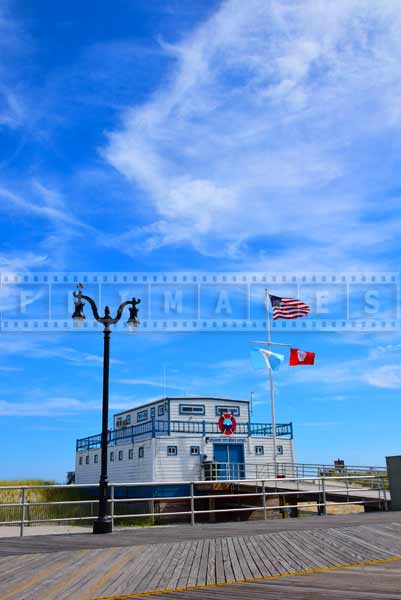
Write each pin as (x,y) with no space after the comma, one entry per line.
(266,554)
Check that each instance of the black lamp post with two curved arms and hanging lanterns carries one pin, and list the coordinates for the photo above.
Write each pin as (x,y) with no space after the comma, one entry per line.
(103,523)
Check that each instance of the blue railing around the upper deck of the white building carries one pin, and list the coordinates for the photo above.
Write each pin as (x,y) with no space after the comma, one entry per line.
(156,427)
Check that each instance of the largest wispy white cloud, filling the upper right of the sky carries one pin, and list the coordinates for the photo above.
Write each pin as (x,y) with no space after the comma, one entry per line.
(264,129)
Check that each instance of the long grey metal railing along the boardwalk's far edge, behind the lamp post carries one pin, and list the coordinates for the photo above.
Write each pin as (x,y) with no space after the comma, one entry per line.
(240,495)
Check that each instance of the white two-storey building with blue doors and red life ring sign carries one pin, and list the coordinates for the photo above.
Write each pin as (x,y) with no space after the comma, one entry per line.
(185,439)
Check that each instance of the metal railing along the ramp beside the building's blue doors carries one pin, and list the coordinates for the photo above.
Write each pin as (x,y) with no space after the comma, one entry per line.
(215,471)
